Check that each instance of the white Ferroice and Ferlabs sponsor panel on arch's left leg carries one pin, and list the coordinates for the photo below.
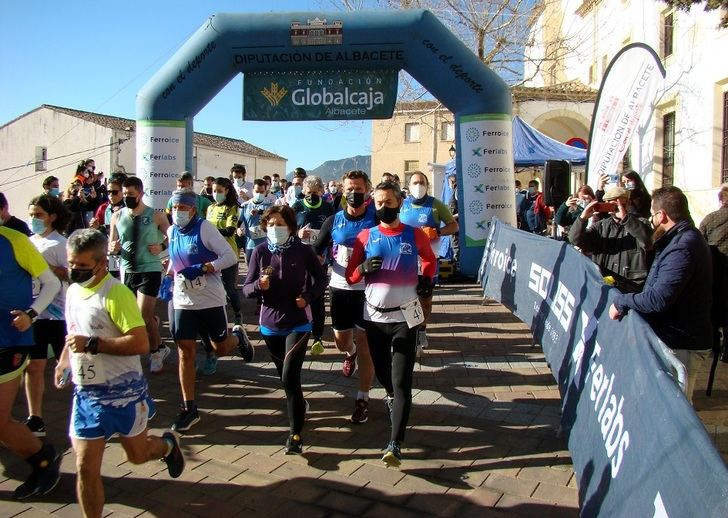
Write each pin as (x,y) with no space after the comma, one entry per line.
(160,158)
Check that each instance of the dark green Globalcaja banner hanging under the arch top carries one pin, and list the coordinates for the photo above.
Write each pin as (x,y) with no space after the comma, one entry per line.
(320,95)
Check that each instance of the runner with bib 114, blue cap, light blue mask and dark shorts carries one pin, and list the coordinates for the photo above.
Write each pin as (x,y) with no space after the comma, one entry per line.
(197,255)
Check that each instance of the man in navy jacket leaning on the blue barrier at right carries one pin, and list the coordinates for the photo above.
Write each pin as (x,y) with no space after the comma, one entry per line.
(676,297)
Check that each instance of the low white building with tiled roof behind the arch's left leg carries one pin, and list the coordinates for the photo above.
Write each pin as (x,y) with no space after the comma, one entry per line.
(52,140)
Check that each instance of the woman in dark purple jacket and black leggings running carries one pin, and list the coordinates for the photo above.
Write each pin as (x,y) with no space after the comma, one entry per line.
(288,276)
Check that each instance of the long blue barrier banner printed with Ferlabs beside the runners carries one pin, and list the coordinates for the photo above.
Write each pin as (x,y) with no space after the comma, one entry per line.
(637,446)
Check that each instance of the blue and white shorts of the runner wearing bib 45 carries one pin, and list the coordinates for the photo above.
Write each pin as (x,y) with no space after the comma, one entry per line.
(92,420)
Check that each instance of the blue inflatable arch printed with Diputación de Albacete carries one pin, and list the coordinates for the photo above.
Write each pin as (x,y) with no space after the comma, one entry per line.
(413,40)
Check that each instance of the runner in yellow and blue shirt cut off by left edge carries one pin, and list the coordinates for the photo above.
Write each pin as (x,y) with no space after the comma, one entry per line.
(19,263)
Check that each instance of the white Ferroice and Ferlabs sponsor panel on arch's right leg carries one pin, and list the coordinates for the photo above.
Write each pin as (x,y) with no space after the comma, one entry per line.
(487,179)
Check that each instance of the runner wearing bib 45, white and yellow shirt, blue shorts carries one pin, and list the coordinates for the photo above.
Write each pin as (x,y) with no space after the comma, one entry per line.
(106,336)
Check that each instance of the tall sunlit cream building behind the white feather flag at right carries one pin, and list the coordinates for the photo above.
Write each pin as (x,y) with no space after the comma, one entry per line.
(685,142)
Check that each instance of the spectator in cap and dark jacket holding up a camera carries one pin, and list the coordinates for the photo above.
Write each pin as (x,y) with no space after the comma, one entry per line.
(618,243)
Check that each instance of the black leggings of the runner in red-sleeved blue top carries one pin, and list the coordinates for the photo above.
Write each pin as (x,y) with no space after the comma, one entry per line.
(393,349)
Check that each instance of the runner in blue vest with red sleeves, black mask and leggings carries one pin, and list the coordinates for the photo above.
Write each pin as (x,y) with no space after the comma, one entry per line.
(386,258)
